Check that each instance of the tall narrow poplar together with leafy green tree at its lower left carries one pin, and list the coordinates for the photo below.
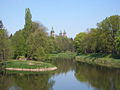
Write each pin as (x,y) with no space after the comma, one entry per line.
(19,40)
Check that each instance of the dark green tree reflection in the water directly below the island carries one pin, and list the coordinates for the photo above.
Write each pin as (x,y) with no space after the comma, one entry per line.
(25,82)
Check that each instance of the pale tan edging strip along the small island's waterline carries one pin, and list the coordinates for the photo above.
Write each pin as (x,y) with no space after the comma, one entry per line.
(33,70)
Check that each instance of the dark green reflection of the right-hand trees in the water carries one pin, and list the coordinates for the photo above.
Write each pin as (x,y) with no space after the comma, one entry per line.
(100,78)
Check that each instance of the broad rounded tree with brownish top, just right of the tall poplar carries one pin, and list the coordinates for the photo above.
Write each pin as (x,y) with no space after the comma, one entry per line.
(37,42)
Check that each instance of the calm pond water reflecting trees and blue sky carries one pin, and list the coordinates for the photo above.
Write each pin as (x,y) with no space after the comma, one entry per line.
(69,76)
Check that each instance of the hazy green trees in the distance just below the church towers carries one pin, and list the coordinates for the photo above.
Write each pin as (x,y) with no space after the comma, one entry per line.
(61,44)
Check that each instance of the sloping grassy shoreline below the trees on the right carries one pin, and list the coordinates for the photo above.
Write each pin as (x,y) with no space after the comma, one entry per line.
(106,62)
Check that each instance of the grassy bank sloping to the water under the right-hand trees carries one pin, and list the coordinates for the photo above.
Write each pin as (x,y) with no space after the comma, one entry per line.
(99,59)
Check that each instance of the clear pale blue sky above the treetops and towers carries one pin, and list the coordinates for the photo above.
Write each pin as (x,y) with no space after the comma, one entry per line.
(73,16)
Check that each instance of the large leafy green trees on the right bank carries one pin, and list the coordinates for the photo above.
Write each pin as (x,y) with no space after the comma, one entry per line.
(103,39)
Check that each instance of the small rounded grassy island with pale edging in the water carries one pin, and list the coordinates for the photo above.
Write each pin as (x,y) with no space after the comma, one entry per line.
(28,65)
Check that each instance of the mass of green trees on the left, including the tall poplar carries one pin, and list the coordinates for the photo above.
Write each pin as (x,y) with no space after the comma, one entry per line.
(33,42)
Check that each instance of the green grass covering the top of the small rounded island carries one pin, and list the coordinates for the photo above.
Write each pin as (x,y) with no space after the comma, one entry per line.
(27,64)
